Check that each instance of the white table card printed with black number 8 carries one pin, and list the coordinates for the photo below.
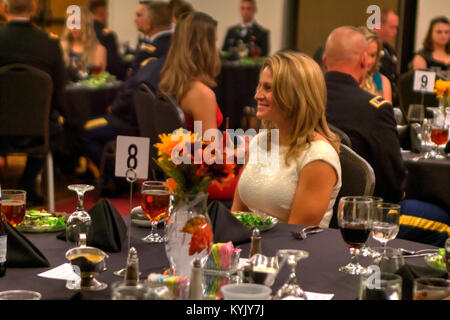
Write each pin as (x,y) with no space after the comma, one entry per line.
(132,152)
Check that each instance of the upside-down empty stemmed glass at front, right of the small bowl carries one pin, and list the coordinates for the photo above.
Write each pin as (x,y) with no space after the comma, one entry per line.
(291,289)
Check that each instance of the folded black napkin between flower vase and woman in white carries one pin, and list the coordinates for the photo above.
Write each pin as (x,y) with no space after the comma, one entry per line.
(225,226)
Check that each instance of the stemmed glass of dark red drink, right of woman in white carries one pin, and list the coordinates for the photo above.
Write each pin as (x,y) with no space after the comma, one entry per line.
(355,225)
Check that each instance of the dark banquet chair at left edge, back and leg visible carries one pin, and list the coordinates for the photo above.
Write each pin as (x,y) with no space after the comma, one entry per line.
(25,99)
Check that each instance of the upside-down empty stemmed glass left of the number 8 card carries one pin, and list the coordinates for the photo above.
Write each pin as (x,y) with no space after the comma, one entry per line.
(78,223)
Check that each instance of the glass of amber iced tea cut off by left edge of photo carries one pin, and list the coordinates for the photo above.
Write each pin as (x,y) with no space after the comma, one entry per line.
(13,206)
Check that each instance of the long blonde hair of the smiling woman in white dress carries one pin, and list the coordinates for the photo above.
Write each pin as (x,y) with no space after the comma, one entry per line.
(300,94)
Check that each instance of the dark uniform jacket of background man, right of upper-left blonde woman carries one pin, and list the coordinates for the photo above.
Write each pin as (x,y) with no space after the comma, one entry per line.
(108,39)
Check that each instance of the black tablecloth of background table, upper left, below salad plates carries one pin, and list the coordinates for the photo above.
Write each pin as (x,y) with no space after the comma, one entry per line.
(83,103)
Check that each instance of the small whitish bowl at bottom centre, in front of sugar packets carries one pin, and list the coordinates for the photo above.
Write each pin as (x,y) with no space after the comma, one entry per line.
(246,291)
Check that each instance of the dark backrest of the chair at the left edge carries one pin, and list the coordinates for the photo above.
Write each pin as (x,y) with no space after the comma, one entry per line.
(25,100)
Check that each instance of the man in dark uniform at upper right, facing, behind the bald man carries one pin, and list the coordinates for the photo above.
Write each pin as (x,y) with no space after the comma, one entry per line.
(389,62)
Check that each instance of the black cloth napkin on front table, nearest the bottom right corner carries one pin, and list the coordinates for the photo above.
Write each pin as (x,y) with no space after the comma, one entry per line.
(410,272)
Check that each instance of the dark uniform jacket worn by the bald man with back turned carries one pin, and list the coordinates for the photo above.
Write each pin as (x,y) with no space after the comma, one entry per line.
(369,122)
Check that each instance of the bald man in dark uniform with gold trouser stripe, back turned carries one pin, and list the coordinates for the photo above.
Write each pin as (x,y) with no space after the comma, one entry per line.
(369,122)
